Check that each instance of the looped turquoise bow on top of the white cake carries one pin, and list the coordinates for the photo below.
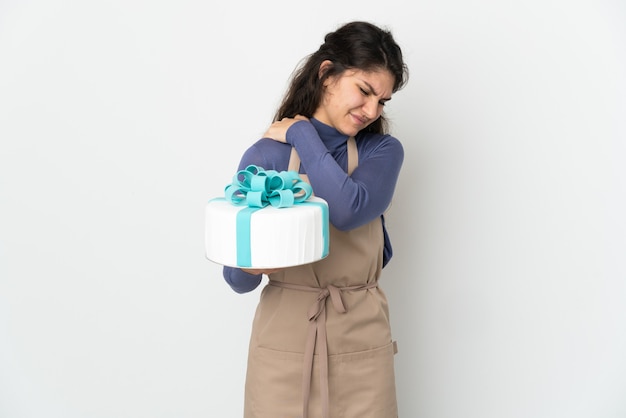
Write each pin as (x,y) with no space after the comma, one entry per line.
(257,188)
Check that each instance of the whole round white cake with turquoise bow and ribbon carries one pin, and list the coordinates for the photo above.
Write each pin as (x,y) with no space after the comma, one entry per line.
(240,232)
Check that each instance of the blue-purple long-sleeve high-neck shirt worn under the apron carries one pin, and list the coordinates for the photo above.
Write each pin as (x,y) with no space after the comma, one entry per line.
(352,200)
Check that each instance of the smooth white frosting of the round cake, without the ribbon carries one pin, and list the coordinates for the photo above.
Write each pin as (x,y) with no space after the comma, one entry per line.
(278,237)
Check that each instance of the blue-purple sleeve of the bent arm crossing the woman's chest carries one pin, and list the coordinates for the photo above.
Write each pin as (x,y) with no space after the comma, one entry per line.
(352,200)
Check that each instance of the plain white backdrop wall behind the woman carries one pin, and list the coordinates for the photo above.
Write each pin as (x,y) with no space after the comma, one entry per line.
(119,119)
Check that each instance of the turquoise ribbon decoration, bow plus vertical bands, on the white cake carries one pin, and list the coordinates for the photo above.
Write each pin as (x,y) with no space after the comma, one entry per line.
(257,188)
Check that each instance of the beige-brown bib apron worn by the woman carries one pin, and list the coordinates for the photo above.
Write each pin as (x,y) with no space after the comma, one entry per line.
(321,342)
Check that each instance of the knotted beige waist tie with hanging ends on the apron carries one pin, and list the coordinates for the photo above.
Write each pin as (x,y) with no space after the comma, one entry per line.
(317,328)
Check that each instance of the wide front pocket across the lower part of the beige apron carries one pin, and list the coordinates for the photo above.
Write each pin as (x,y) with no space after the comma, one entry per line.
(362,384)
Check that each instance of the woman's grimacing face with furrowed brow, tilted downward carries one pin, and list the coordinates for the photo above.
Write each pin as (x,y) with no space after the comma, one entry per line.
(354,99)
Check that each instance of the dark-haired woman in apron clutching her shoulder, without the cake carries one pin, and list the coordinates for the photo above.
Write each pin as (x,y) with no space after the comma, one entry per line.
(321,342)
